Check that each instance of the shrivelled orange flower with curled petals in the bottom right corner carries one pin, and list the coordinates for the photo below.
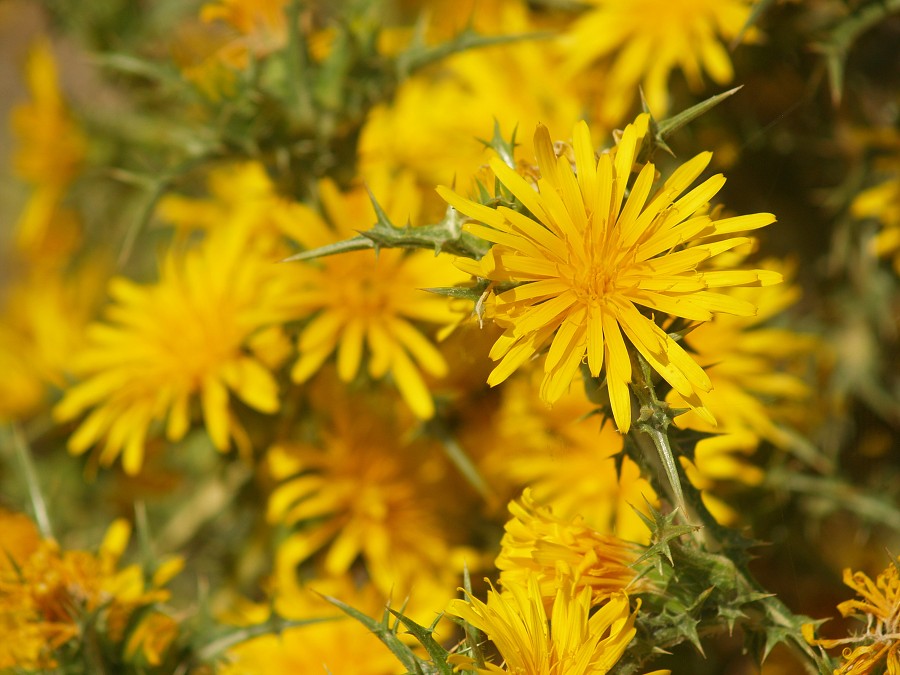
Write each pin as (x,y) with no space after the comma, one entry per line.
(878,607)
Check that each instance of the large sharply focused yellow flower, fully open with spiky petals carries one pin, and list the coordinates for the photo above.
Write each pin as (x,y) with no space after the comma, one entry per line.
(588,258)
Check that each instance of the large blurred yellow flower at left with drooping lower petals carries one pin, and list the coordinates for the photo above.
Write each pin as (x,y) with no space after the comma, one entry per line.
(165,343)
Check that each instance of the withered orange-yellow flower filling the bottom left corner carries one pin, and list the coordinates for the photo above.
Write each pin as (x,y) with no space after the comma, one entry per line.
(47,595)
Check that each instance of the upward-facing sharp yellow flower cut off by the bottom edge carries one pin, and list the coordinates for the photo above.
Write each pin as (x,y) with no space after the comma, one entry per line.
(570,640)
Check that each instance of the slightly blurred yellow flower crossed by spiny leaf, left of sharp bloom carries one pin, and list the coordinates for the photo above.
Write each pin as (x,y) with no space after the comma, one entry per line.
(361,299)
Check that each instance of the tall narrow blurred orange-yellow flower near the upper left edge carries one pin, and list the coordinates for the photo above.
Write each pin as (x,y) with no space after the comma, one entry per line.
(51,151)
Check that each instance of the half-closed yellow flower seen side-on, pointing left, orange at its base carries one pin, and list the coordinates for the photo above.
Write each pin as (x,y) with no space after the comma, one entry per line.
(537,542)
